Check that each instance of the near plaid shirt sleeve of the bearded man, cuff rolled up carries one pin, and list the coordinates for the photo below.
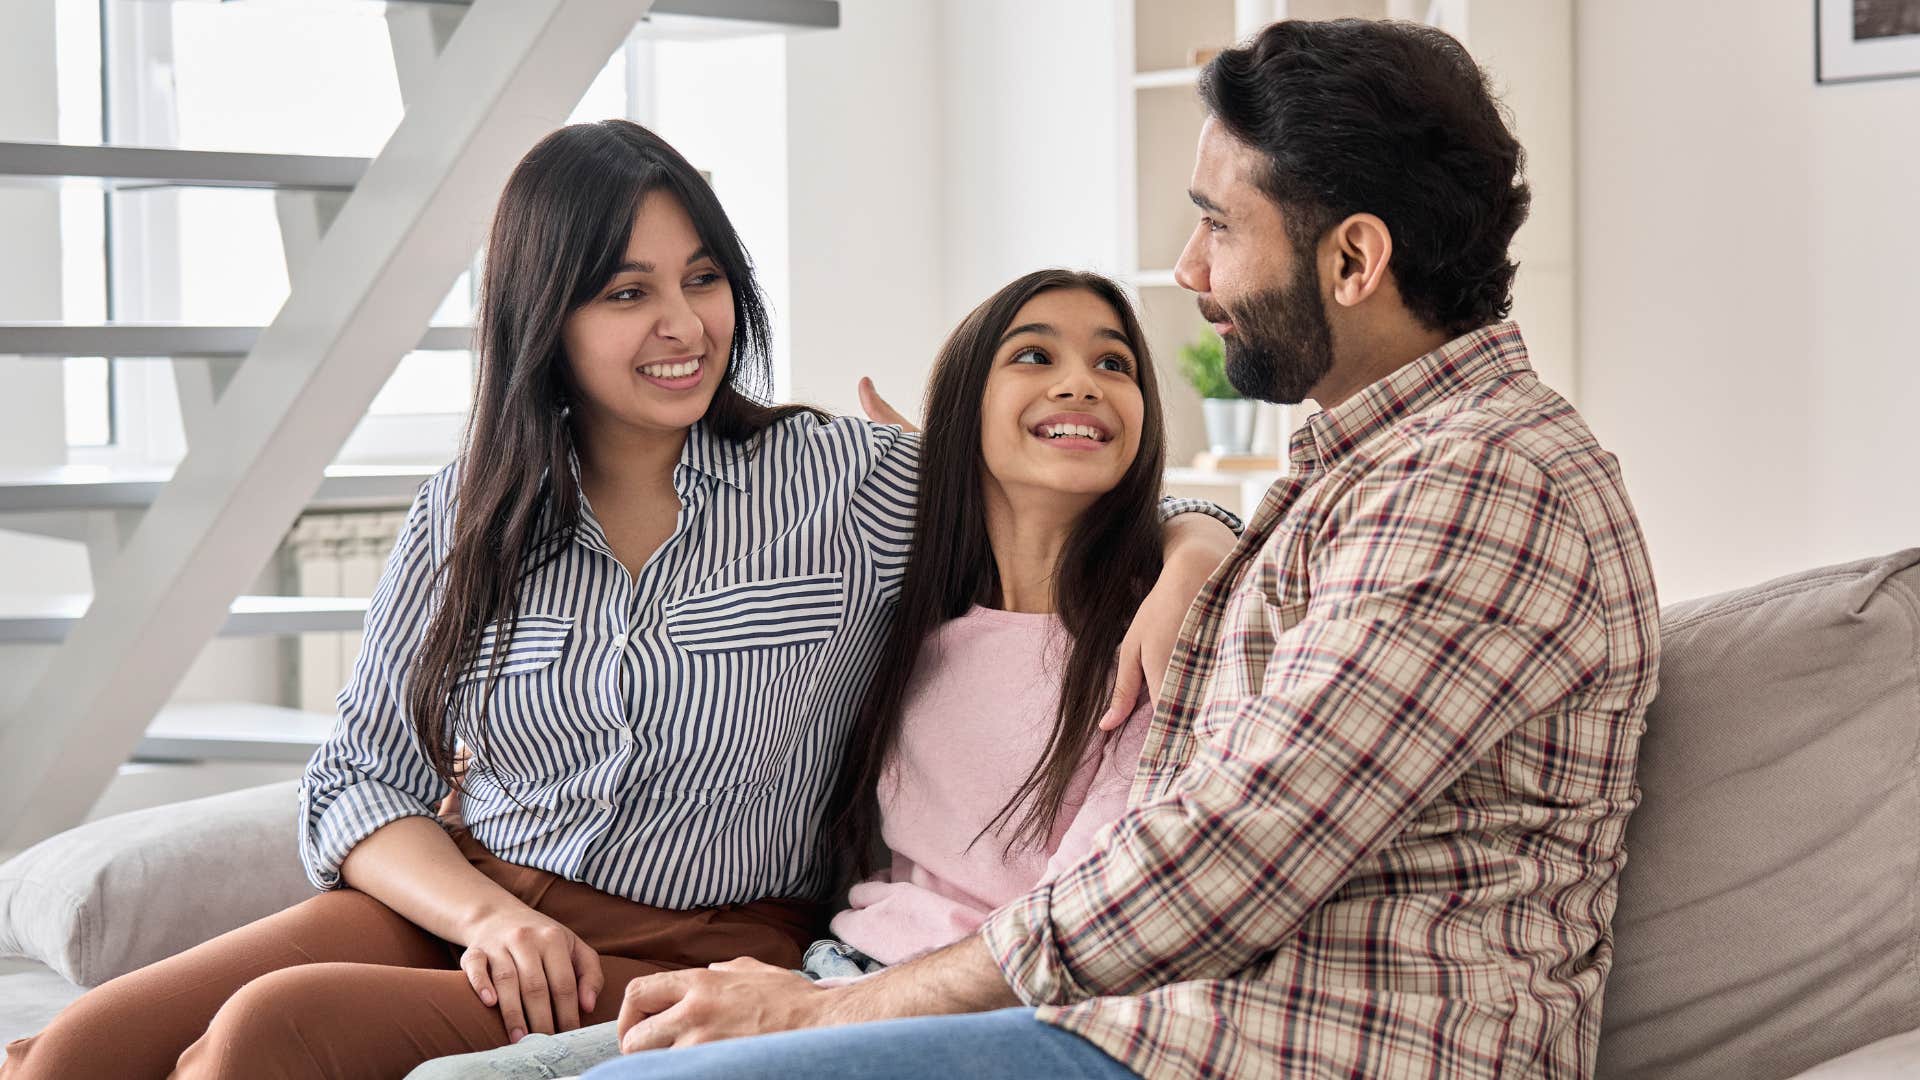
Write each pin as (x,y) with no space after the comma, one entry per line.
(1452,599)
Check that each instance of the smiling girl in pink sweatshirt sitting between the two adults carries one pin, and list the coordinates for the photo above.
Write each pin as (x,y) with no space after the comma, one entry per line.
(976,756)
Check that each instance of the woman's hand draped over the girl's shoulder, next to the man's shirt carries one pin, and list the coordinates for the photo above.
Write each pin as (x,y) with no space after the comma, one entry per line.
(1197,545)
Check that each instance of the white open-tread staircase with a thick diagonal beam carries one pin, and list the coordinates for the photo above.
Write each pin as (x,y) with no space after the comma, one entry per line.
(373,247)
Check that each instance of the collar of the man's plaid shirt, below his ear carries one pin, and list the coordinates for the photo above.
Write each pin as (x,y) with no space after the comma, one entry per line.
(1464,364)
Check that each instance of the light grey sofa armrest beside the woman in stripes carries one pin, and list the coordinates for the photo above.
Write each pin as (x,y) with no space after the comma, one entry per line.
(128,891)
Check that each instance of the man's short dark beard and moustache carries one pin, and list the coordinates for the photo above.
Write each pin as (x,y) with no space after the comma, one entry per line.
(1282,345)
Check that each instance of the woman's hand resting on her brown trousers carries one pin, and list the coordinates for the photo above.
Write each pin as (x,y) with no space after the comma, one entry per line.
(540,975)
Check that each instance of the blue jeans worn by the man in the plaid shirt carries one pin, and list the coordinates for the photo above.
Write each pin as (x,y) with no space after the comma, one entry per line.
(980,1046)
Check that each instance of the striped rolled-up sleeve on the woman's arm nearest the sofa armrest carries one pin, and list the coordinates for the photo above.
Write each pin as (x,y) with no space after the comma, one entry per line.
(372,772)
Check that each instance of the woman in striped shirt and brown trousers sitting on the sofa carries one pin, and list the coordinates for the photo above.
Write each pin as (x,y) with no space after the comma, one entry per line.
(640,601)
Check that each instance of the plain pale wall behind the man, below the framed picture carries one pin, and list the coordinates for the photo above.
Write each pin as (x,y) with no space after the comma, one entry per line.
(1748,341)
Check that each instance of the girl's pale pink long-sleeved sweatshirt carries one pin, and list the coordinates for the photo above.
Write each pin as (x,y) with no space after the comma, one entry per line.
(974,722)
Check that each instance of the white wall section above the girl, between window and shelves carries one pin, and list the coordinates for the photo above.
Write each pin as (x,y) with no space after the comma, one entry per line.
(940,149)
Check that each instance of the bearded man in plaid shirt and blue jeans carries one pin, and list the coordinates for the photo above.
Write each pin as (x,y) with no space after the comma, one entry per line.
(1380,818)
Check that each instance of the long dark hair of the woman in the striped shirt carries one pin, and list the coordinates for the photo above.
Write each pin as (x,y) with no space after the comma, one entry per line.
(560,235)
